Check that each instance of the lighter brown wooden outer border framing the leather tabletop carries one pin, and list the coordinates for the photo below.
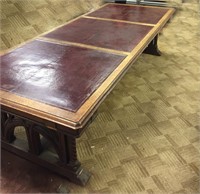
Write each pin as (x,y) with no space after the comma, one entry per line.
(79,119)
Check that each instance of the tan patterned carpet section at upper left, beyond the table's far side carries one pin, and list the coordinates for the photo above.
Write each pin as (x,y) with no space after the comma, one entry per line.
(22,20)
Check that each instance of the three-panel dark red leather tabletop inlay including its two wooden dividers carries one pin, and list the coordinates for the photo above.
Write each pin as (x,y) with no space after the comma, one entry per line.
(59,70)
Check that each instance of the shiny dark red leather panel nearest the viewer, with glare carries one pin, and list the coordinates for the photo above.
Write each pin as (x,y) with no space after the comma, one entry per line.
(60,75)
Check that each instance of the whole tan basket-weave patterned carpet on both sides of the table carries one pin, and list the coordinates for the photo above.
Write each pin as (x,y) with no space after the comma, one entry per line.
(145,138)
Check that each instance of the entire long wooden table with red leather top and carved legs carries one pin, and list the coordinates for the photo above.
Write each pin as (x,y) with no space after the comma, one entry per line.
(53,85)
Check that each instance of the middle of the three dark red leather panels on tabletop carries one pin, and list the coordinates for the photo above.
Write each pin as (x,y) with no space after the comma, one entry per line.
(106,34)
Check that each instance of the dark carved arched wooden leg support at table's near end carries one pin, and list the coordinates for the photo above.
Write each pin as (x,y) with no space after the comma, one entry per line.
(64,163)
